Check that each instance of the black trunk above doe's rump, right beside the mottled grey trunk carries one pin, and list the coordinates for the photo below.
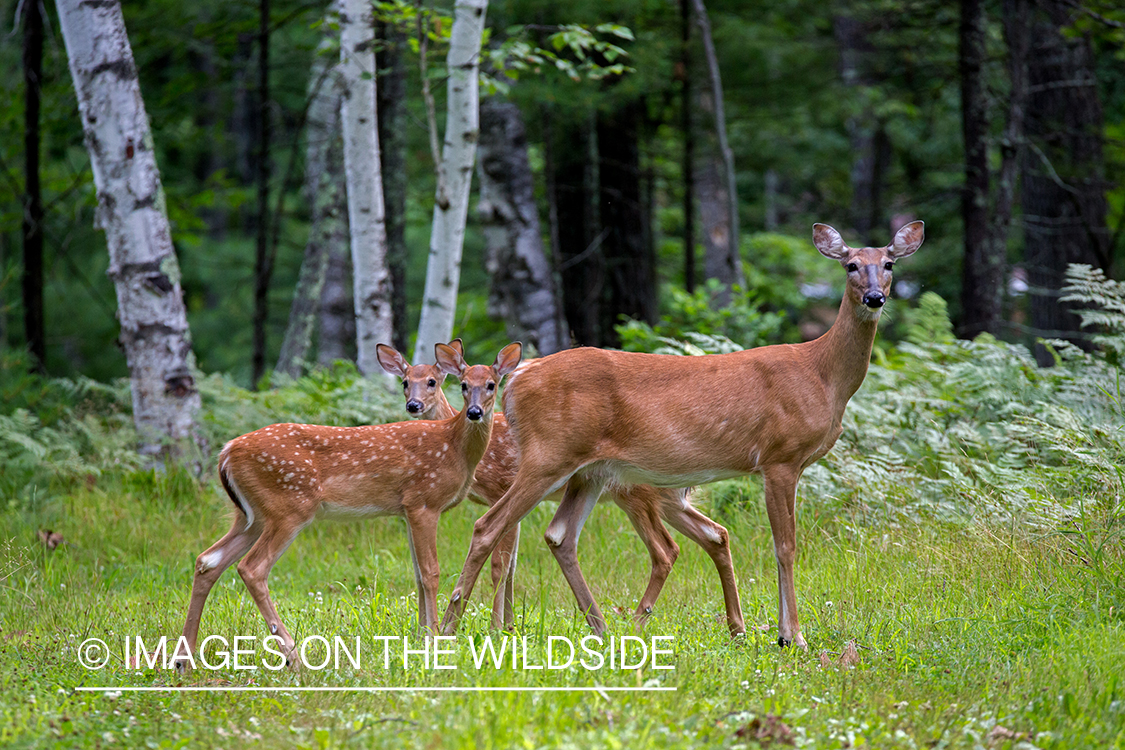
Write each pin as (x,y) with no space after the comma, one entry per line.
(579,252)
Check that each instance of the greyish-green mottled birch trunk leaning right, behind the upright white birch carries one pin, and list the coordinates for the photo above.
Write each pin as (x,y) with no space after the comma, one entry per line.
(325,192)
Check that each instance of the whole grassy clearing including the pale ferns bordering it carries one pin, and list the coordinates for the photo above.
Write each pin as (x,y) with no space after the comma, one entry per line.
(961,580)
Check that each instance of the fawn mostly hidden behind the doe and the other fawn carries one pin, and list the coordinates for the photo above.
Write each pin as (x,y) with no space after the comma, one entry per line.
(646,507)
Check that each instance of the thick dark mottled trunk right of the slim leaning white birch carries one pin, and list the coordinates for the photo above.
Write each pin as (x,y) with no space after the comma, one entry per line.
(523,281)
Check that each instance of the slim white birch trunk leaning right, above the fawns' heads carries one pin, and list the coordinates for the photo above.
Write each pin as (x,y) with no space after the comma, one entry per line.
(451,212)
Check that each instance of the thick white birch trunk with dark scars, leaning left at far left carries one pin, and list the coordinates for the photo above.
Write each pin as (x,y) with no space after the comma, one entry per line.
(131,210)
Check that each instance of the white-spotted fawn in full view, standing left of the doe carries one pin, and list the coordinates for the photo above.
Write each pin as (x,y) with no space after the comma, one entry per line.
(284,477)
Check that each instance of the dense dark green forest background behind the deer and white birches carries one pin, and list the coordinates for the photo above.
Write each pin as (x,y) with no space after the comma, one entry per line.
(862,114)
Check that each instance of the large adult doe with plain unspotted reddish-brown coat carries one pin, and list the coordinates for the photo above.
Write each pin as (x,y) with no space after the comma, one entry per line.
(589,417)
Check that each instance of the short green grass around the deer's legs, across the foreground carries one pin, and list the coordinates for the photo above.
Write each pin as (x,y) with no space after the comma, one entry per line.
(960,629)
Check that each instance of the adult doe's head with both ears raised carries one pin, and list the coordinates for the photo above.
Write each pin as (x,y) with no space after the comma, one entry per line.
(869,269)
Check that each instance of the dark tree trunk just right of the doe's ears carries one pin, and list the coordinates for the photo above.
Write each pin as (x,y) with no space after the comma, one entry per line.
(983,269)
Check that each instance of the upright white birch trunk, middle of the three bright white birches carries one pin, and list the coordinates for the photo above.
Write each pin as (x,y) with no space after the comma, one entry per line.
(366,213)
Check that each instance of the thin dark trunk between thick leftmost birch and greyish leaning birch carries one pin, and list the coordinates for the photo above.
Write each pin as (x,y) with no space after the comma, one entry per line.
(263,261)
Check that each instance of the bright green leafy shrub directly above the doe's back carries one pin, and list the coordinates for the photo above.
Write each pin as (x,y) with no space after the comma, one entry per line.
(697,315)
